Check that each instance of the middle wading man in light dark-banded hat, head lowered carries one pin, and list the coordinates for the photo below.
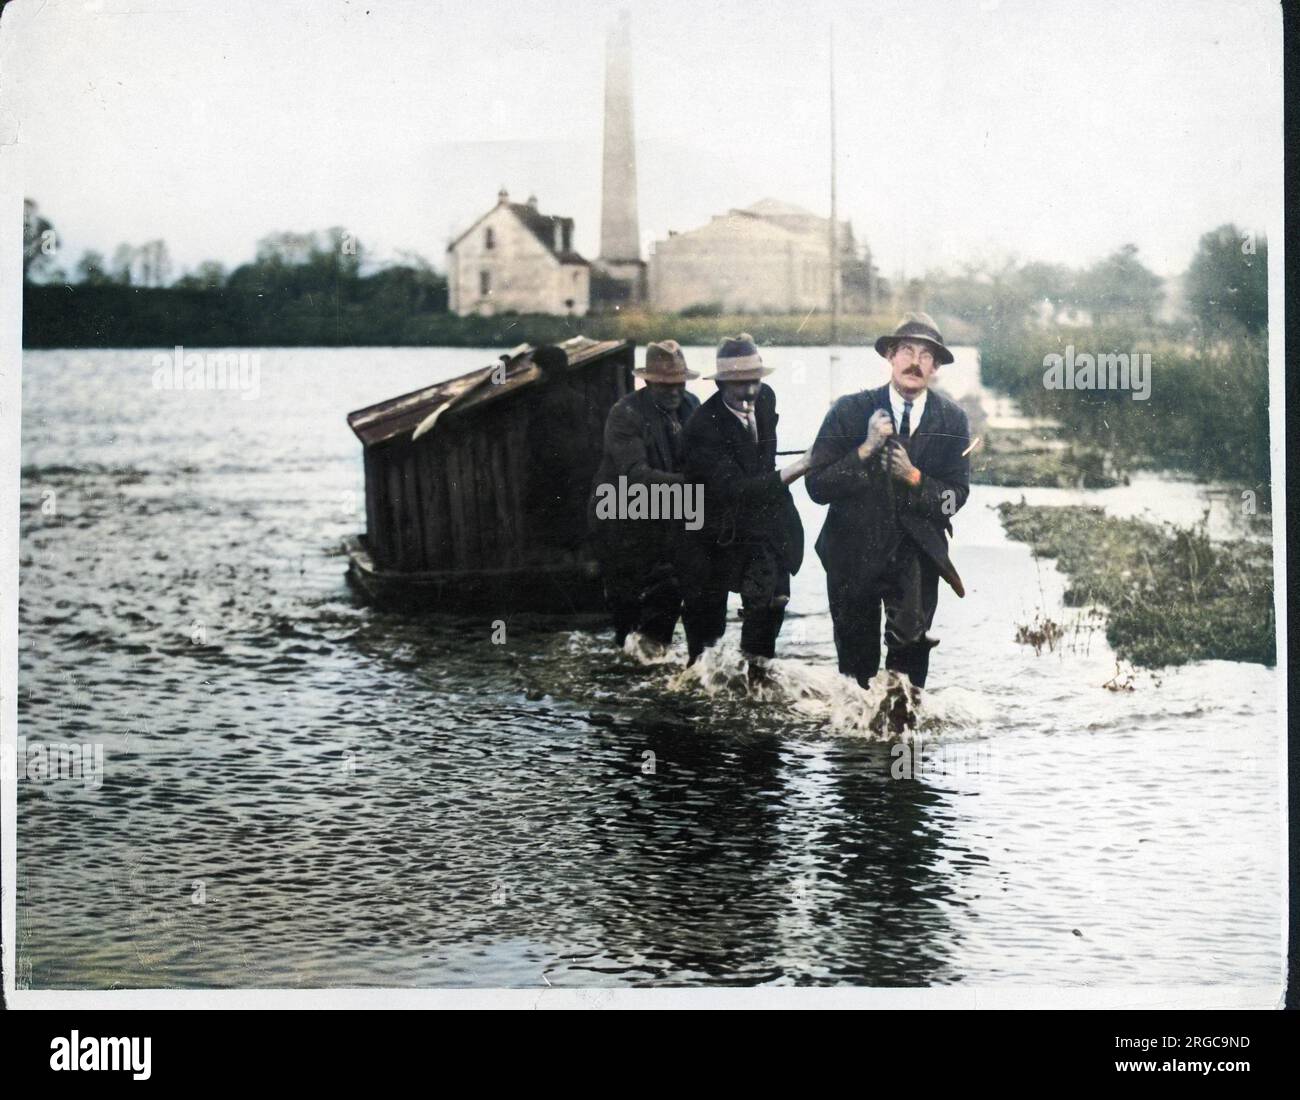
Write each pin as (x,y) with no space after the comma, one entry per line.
(752,539)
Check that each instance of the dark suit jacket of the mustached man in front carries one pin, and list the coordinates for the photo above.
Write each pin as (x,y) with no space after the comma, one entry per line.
(870,510)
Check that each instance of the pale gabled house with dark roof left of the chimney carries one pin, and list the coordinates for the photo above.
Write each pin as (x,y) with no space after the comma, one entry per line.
(518,259)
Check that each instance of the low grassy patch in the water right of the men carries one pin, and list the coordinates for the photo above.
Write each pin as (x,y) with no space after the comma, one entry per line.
(1171,594)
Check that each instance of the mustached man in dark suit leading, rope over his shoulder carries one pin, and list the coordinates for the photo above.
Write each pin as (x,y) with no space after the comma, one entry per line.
(892,466)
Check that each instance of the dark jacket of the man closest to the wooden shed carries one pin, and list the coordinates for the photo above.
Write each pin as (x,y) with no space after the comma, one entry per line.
(642,445)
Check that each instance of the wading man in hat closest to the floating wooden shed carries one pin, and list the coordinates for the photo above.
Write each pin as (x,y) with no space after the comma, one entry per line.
(644,444)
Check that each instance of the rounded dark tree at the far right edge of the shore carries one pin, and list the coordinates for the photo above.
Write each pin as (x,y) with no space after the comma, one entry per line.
(1228,283)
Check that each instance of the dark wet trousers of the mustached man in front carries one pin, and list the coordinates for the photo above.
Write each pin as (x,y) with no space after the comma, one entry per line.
(908,591)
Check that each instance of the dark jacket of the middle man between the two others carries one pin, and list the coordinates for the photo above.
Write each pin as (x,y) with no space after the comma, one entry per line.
(746,501)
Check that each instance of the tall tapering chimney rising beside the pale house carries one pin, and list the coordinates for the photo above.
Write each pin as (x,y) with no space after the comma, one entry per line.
(621,231)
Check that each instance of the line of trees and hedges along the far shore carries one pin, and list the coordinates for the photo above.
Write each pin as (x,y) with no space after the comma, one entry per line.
(323,287)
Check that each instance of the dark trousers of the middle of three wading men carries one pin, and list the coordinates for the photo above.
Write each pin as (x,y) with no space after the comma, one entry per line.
(710,573)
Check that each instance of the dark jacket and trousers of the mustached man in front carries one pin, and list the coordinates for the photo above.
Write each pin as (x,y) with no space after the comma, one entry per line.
(886,543)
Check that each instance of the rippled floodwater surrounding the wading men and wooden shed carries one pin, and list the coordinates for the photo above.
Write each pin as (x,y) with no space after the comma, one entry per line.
(302,792)
